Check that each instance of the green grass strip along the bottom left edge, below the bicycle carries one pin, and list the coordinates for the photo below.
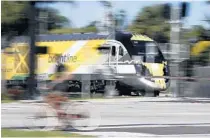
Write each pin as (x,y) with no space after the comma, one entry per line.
(22,133)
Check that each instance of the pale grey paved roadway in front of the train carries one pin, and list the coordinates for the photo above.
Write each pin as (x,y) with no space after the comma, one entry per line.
(136,117)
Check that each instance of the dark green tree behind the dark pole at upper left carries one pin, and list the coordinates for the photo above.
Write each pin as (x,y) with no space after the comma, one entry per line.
(15,18)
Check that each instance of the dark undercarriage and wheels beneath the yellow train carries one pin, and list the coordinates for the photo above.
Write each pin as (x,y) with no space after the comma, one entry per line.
(95,87)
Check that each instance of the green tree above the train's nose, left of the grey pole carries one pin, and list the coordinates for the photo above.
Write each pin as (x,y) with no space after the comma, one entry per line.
(150,21)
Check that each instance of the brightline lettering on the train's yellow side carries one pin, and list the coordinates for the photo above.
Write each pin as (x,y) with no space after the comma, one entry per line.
(64,58)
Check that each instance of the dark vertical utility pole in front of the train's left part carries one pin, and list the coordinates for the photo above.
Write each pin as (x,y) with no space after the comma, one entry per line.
(32,58)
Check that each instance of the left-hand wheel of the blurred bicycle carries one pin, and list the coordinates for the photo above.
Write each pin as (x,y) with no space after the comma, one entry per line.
(41,117)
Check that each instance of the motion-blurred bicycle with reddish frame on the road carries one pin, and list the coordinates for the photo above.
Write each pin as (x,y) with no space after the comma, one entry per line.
(81,115)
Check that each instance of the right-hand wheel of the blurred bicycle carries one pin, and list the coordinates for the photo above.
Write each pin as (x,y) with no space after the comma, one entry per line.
(84,116)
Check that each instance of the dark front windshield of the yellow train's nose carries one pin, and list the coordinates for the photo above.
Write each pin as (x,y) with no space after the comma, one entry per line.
(148,51)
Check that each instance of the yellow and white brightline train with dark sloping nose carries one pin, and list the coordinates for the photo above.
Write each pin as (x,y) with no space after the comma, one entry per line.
(131,57)
